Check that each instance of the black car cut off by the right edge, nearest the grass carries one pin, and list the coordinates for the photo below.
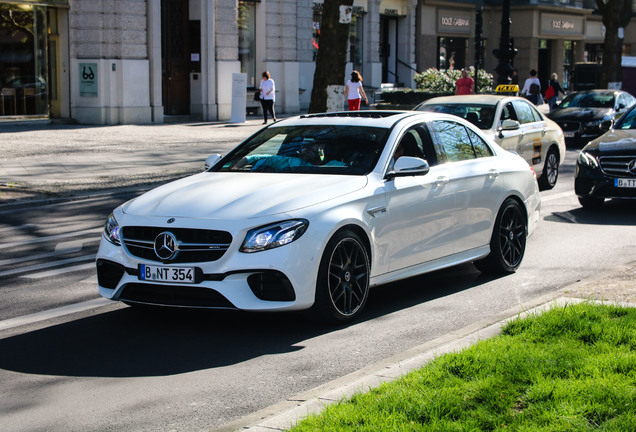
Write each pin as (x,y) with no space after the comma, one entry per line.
(606,167)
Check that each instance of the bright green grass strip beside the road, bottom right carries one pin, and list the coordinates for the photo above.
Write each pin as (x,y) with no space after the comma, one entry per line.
(572,368)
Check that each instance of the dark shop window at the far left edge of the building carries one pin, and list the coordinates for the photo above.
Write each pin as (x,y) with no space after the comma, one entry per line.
(23,62)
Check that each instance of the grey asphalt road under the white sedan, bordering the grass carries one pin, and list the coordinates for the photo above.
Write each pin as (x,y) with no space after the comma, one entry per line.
(117,368)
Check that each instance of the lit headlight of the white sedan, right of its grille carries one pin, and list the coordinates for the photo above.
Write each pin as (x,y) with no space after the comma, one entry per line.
(273,236)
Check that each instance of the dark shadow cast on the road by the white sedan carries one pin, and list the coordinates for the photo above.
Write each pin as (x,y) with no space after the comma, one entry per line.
(134,342)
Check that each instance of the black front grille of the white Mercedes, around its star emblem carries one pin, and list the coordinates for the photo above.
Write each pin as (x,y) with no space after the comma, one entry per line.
(194,245)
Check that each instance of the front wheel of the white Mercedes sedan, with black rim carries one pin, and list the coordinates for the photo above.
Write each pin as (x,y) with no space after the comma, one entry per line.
(342,287)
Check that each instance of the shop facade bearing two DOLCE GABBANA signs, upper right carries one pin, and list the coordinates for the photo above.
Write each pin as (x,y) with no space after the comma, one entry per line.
(550,36)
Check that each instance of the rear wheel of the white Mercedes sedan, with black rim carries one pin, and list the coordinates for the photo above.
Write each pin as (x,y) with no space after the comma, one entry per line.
(508,241)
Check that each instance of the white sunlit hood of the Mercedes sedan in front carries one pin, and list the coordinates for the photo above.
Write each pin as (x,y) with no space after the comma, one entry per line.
(241,195)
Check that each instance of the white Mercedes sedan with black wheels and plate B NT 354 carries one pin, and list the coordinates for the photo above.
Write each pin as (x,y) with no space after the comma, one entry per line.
(310,212)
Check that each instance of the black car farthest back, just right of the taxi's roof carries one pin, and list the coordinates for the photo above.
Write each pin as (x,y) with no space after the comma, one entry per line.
(586,115)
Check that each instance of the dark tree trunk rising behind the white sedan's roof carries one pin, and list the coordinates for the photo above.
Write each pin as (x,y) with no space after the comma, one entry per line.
(332,54)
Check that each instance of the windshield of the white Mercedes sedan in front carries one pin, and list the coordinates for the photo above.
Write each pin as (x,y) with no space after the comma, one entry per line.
(342,149)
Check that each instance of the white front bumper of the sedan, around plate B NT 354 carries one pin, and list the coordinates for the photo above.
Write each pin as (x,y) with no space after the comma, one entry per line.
(278,279)
